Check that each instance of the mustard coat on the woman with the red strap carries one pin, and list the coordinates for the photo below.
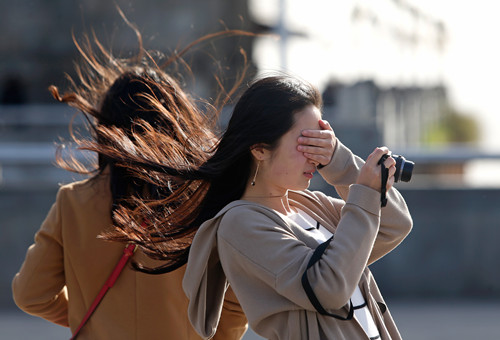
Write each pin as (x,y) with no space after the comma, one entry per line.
(67,265)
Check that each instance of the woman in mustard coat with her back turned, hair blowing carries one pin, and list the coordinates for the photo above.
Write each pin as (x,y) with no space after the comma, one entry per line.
(123,100)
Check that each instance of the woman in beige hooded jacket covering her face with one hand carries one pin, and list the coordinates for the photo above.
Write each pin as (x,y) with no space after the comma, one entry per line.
(297,260)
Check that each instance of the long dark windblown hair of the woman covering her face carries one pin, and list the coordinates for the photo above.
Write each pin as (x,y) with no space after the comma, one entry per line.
(263,114)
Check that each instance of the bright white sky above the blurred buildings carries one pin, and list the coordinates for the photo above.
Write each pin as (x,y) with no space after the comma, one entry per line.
(335,47)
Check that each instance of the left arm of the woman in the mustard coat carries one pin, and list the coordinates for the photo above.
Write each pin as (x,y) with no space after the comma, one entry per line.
(39,286)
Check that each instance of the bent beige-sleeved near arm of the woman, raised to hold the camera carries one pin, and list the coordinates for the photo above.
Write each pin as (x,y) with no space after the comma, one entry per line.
(257,248)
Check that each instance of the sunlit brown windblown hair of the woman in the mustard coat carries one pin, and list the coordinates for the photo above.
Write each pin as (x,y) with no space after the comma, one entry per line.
(134,108)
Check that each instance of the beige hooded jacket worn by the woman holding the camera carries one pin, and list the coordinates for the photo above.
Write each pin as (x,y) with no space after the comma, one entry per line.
(264,256)
